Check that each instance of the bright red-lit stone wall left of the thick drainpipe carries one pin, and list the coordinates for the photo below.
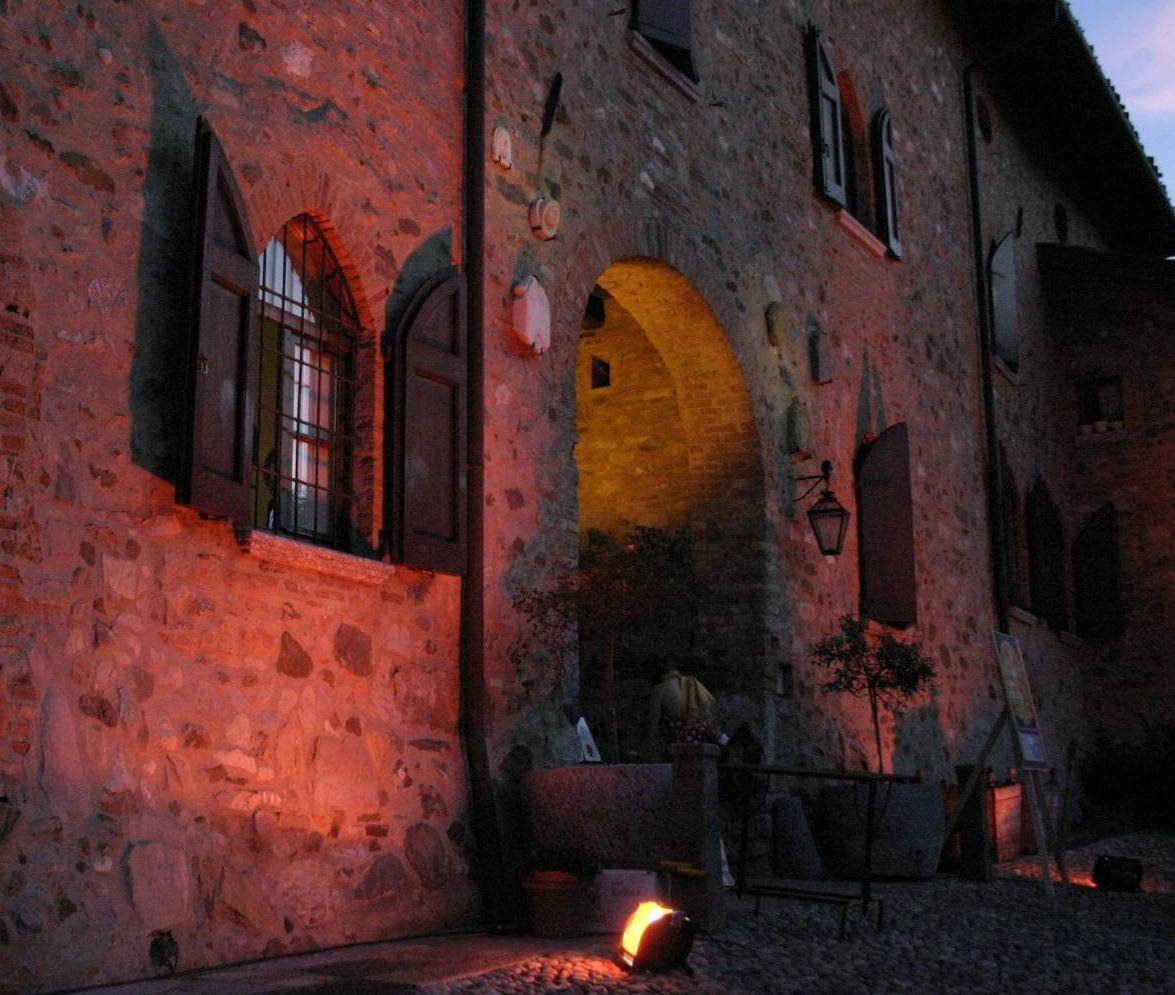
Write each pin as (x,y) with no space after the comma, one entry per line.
(253,750)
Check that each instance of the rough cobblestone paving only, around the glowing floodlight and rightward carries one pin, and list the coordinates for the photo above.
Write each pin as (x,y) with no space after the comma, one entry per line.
(942,937)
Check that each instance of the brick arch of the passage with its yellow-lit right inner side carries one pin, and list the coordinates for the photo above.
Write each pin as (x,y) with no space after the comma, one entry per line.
(663,280)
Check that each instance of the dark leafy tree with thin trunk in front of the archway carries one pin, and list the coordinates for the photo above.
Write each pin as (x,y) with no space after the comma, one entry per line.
(642,584)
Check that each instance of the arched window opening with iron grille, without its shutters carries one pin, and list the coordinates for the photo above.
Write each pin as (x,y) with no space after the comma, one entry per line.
(308,330)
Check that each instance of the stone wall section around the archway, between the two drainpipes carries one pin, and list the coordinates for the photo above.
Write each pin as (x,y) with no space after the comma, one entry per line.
(716,185)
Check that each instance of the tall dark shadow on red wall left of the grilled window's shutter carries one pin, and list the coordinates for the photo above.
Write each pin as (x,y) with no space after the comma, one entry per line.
(165,252)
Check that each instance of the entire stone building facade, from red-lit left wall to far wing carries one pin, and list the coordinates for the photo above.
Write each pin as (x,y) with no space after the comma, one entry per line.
(253,744)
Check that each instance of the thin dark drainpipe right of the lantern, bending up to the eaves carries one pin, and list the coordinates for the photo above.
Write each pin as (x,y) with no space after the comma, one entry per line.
(998,529)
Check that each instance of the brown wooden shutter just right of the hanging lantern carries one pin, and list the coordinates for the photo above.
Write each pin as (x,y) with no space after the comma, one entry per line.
(885,522)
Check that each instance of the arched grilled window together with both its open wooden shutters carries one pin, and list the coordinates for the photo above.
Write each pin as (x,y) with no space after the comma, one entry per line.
(277,382)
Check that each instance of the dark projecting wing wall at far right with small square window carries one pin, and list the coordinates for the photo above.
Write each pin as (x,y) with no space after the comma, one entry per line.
(1114,315)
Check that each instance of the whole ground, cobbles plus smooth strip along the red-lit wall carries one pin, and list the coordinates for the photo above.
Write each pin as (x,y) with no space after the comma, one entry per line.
(943,938)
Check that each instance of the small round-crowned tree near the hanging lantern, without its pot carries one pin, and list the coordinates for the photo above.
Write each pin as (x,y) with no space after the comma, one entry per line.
(881,669)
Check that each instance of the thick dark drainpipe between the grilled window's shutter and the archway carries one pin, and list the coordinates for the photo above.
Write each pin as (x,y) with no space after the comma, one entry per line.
(474,727)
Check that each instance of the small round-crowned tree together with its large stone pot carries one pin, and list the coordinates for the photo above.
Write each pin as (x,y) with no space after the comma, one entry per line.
(888,675)
